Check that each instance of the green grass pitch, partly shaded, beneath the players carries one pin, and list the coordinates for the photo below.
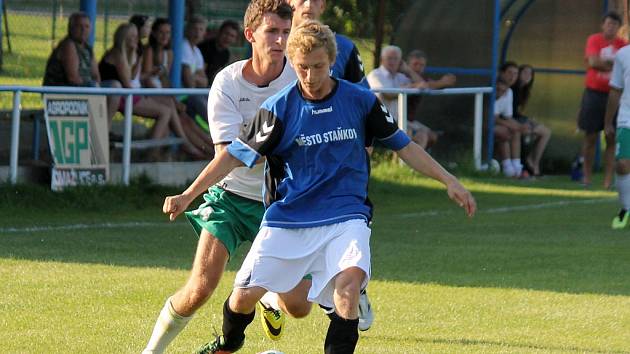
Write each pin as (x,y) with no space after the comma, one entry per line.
(538,270)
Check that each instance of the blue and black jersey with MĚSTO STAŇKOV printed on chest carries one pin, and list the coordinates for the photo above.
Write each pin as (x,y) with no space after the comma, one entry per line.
(317,167)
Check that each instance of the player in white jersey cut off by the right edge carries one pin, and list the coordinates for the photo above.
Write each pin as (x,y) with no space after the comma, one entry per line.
(619,103)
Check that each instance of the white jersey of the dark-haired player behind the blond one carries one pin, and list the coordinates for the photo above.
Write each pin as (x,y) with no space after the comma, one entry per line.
(232,105)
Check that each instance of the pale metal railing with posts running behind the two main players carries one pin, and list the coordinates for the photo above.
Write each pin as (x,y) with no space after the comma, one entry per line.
(129,93)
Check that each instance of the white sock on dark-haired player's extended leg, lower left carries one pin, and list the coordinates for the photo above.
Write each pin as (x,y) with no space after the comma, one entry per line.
(168,325)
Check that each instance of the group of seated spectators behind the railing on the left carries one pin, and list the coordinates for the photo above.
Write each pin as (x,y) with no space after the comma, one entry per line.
(134,62)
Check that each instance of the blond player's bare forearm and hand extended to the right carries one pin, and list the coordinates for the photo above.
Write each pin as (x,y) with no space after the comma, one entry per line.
(419,160)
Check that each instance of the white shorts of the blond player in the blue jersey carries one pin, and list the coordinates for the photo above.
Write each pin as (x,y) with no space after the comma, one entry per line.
(279,258)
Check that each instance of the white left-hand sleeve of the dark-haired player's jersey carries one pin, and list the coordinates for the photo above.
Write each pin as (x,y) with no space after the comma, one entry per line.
(224,118)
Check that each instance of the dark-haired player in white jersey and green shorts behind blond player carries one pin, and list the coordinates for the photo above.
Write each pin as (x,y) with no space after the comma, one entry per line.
(233,208)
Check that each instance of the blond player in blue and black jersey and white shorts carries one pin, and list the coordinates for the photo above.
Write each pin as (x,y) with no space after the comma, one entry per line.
(313,135)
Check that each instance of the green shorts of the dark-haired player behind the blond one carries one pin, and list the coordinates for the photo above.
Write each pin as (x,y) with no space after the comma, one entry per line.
(230,218)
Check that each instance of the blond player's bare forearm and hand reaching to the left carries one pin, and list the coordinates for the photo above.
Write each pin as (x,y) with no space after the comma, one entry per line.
(219,167)
